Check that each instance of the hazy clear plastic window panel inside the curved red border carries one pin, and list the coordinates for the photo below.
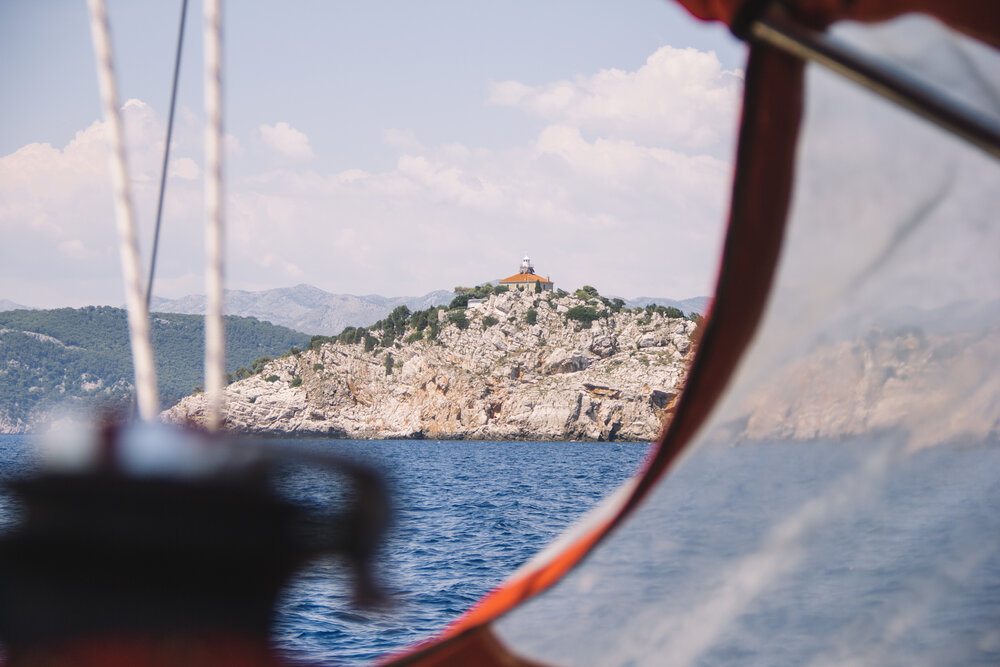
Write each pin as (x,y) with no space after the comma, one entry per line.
(841,503)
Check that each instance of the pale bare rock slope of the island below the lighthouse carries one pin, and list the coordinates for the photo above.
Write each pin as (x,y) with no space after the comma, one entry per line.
(500,378)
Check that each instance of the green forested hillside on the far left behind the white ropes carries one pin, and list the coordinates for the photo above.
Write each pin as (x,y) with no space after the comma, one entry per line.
(50,357)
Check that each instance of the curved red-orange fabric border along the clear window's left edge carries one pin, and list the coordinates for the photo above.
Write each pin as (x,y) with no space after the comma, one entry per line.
(761,193)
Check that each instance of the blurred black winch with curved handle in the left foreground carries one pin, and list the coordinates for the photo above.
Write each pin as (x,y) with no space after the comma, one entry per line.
(149,545)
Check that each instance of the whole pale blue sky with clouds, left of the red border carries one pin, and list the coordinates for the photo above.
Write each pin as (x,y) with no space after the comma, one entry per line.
(376,147)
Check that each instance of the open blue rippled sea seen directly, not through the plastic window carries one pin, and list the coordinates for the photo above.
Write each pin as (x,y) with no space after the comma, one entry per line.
(466,515)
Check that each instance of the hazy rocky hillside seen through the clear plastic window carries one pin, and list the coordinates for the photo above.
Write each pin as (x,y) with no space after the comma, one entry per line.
(935,388)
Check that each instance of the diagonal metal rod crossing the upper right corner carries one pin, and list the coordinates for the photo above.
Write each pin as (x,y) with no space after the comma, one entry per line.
(894,85)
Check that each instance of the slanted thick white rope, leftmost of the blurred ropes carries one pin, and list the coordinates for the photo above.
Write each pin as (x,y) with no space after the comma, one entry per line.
(147,393)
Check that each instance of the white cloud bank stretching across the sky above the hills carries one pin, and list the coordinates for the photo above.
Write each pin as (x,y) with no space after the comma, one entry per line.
(623,179)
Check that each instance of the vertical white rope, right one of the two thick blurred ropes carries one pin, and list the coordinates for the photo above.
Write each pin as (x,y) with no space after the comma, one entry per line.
(215,342)
